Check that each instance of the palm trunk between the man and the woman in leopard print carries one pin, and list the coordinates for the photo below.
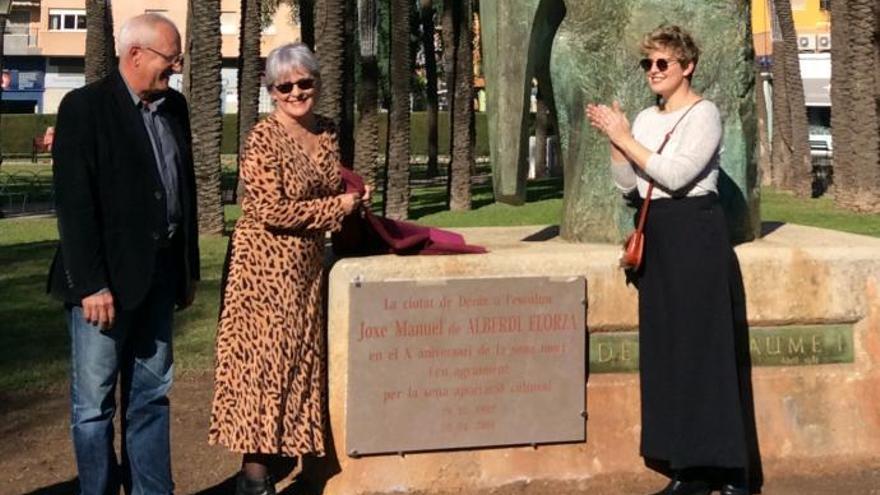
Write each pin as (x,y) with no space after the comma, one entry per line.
(202,86)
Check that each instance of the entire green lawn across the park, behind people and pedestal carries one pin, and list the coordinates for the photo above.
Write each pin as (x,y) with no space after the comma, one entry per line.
(33,336)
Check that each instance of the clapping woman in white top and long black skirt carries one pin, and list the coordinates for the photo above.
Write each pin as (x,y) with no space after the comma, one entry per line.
(697,416)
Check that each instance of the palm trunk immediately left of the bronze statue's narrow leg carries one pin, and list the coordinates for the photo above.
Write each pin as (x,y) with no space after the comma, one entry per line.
(463,112)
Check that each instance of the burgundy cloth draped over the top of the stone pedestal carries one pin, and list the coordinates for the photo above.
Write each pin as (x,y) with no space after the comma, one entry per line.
(370,234)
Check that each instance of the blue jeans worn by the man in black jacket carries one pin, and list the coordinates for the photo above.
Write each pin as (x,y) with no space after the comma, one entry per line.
(137,349)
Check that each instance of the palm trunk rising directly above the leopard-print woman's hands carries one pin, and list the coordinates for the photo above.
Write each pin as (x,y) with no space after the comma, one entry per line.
(367,142)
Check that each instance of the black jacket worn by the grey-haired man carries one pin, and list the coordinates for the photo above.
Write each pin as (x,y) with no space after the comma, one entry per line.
(109,197)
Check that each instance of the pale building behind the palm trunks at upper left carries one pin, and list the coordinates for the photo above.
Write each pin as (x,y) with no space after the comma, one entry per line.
(44,47)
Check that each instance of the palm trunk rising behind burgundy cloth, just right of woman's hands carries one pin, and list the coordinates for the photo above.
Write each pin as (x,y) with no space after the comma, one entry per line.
(397,158)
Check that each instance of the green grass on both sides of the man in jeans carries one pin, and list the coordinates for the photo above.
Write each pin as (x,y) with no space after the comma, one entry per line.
(33,336)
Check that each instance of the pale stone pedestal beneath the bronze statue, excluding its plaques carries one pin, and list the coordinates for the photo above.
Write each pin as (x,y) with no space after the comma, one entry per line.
(808,415)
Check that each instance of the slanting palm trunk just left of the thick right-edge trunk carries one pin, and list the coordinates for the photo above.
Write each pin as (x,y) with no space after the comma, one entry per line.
(792,168)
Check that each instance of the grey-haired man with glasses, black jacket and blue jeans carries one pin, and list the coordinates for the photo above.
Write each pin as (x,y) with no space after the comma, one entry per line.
(128,254)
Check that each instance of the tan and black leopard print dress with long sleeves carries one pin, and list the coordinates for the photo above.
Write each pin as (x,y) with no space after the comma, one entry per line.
(268,379)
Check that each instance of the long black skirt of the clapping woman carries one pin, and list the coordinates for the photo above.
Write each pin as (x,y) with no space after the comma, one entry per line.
(695,375)
